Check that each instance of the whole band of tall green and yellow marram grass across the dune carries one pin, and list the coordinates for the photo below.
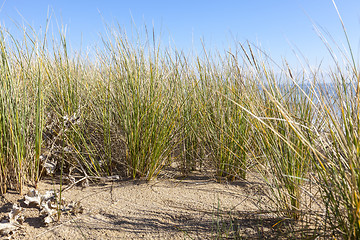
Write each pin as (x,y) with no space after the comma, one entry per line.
(133,110)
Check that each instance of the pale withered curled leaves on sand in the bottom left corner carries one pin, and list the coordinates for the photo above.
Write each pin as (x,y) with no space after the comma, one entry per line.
(13,223)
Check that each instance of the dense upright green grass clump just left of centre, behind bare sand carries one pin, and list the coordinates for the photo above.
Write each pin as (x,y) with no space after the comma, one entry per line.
(146,107)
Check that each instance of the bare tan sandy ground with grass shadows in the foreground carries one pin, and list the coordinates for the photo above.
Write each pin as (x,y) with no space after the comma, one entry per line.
(192,208)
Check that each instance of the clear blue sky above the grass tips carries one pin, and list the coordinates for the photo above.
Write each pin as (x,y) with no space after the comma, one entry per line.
(278,26)
